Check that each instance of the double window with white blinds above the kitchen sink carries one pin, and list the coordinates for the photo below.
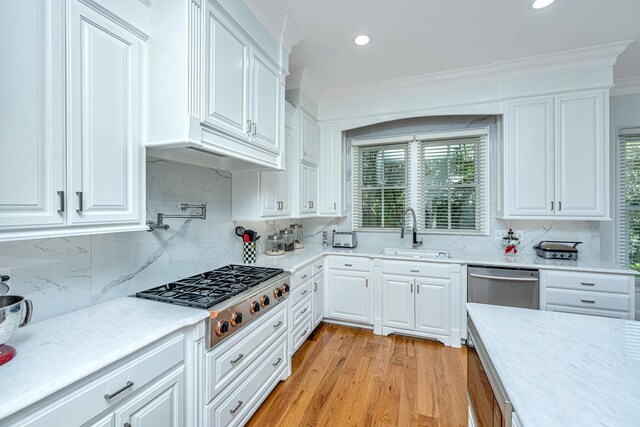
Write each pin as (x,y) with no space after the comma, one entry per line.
(442,176)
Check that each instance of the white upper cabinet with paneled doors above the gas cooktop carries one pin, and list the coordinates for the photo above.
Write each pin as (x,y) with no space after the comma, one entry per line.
(217,98)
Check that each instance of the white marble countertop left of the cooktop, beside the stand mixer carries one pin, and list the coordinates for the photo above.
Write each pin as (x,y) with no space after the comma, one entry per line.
(56,353)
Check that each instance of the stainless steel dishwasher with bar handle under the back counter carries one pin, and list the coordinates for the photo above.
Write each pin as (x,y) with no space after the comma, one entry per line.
(510,287)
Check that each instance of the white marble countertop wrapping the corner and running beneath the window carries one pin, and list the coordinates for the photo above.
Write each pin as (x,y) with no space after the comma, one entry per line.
(301,257)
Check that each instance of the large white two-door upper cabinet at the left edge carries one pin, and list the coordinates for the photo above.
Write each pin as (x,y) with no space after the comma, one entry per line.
(70,136)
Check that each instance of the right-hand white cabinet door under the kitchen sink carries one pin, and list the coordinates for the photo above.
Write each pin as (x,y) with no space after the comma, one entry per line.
(432,306)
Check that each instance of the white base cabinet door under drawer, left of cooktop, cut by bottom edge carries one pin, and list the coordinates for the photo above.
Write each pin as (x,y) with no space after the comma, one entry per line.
(161,405)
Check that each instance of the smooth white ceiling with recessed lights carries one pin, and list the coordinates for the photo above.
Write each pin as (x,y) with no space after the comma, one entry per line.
(416,37)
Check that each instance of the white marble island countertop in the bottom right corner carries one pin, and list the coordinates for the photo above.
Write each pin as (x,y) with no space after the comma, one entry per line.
(562,369)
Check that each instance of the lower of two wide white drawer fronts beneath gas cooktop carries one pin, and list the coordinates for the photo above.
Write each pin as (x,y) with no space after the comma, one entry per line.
(232,408)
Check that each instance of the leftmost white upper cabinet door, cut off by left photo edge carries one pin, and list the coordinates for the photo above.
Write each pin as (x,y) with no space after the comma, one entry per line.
(31,113)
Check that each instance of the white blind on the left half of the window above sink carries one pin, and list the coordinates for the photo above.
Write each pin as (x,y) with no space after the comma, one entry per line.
(380,185)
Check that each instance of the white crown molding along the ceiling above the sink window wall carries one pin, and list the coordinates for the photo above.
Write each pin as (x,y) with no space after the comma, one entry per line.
(495,73)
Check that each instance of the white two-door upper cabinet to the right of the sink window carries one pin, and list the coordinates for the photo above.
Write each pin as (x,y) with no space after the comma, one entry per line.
(555,157)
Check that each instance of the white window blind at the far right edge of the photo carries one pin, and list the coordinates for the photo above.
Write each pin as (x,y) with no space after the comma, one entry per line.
(629,198)
